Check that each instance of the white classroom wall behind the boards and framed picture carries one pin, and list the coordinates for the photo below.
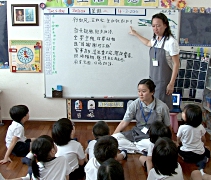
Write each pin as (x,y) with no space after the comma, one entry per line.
(28,88)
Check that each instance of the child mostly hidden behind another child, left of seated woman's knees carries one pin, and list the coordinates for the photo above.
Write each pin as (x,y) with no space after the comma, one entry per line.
(99,130)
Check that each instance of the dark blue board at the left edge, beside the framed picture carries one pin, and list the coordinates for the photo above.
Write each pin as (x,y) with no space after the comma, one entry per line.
(4,60)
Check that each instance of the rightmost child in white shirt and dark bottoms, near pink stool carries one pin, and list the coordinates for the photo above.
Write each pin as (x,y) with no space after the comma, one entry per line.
(191,136)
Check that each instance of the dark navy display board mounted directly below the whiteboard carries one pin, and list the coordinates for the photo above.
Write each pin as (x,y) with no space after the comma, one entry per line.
(97,109)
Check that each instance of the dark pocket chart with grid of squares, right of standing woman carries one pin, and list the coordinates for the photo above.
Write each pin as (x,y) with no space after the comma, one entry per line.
(192,76)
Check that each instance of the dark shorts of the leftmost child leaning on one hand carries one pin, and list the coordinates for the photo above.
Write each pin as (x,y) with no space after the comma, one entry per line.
(21,149)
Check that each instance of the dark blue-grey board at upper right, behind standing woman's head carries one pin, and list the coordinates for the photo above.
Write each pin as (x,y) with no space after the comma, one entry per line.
(195,27)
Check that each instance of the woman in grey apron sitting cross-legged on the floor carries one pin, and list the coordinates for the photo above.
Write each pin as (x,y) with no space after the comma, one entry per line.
(145,110)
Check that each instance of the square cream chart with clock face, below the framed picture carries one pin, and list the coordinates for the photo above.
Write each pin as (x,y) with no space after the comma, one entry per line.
(25,55)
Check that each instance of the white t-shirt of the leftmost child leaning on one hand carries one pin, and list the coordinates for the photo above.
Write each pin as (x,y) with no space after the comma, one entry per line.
(15,129)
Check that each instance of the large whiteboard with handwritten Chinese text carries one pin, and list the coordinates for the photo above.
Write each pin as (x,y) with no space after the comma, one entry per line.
(90,52)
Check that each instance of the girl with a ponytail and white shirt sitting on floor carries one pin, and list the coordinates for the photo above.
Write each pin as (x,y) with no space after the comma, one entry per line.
(44,163)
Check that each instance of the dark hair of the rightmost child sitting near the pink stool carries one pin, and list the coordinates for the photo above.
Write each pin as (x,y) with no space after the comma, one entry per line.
(193,114)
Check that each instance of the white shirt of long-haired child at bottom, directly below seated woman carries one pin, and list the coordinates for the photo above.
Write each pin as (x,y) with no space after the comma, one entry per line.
(154,176)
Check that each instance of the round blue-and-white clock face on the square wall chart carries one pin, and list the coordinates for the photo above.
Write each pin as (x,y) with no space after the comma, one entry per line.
(25,55)
